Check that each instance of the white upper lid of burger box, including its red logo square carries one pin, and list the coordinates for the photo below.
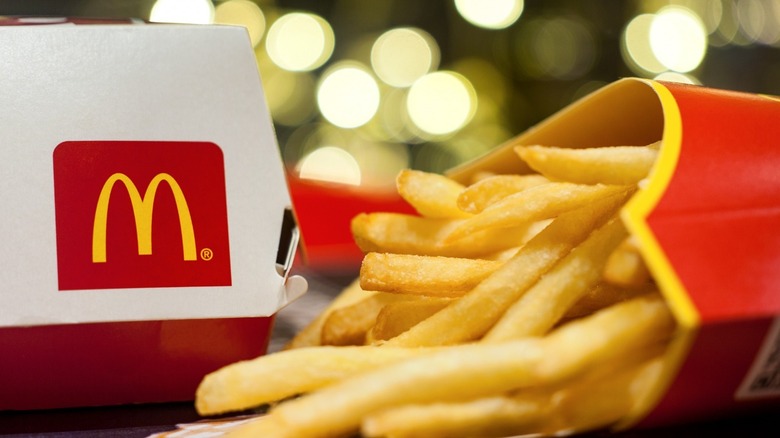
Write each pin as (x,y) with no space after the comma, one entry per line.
(119,109)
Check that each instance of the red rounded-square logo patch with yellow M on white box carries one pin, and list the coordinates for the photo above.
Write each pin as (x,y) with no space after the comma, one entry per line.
(128,214)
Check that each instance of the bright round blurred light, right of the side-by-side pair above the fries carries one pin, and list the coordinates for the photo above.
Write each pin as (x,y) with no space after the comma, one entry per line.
(442,102)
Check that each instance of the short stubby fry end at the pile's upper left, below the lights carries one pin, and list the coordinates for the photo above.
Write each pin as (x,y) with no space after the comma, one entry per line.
(432,195)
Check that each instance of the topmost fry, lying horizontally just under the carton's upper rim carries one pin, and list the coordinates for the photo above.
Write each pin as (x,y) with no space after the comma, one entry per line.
(616,165)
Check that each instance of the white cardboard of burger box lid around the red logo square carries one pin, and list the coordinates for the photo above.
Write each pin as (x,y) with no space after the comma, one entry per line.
(134,82)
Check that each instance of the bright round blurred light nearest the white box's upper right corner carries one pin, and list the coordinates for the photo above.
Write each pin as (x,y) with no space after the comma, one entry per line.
(300,41)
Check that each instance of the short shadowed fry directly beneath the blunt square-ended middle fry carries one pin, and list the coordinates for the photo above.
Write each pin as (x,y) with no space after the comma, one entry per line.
(396,318)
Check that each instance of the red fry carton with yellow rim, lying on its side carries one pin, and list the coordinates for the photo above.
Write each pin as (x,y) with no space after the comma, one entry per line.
(706,220)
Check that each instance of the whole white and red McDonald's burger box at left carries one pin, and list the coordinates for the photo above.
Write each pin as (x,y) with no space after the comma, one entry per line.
(147,226)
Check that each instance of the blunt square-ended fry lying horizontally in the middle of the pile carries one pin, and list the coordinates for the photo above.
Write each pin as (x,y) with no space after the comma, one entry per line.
(423,275)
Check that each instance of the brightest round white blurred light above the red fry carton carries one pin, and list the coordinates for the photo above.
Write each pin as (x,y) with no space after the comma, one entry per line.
(678,38)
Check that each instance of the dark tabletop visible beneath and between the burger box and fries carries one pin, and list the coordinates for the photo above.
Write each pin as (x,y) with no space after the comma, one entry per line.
(144,420)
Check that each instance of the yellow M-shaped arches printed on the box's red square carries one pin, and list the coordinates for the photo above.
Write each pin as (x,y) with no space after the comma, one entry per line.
(143,207)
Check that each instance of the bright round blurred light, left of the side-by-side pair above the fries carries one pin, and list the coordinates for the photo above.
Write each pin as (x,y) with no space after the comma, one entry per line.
(348,95)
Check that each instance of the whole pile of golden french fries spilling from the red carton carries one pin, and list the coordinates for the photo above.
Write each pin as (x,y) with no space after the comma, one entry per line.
(517,304)
